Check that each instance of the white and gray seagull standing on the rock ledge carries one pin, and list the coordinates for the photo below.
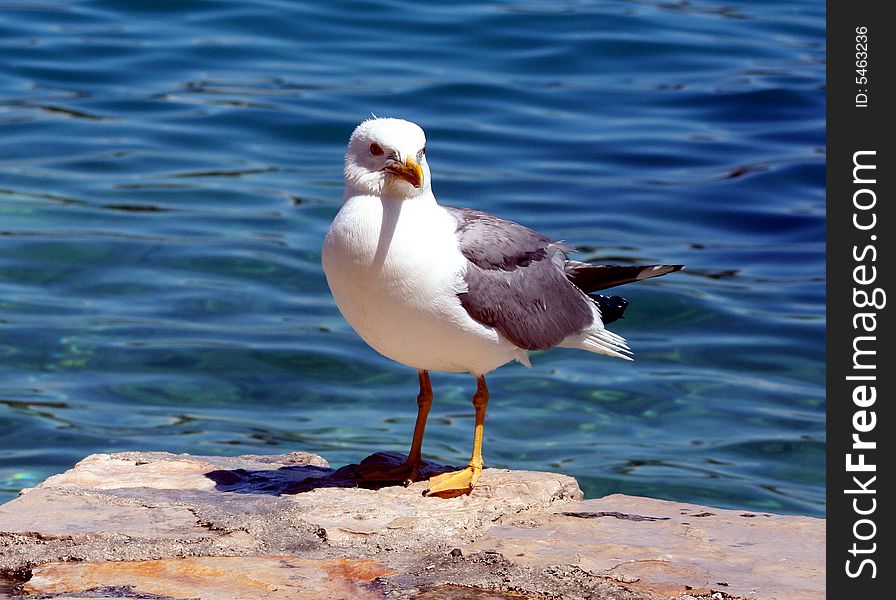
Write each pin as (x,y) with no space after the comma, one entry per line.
(443,288)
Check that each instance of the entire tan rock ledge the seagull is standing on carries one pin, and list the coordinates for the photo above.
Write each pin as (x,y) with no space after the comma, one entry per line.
(151,524)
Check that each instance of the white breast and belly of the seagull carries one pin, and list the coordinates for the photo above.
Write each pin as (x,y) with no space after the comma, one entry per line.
(395,270)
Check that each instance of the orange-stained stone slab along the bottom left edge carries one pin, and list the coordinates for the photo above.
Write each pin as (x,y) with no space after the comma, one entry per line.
(221,577)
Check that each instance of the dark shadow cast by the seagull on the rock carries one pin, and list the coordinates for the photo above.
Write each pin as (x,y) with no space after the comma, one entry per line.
(304,478)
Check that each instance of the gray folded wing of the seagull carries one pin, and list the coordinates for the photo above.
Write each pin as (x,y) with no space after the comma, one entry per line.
(516,282)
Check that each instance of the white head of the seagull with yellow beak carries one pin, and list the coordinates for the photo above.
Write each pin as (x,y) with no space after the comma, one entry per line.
(387,157)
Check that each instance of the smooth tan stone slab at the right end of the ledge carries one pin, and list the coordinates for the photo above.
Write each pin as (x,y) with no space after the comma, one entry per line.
(670,548)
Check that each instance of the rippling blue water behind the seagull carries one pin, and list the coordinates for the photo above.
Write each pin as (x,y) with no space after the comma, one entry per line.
(168,171)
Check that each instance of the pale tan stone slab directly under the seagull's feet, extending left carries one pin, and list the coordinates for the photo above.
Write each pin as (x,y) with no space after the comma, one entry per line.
(153,505)
